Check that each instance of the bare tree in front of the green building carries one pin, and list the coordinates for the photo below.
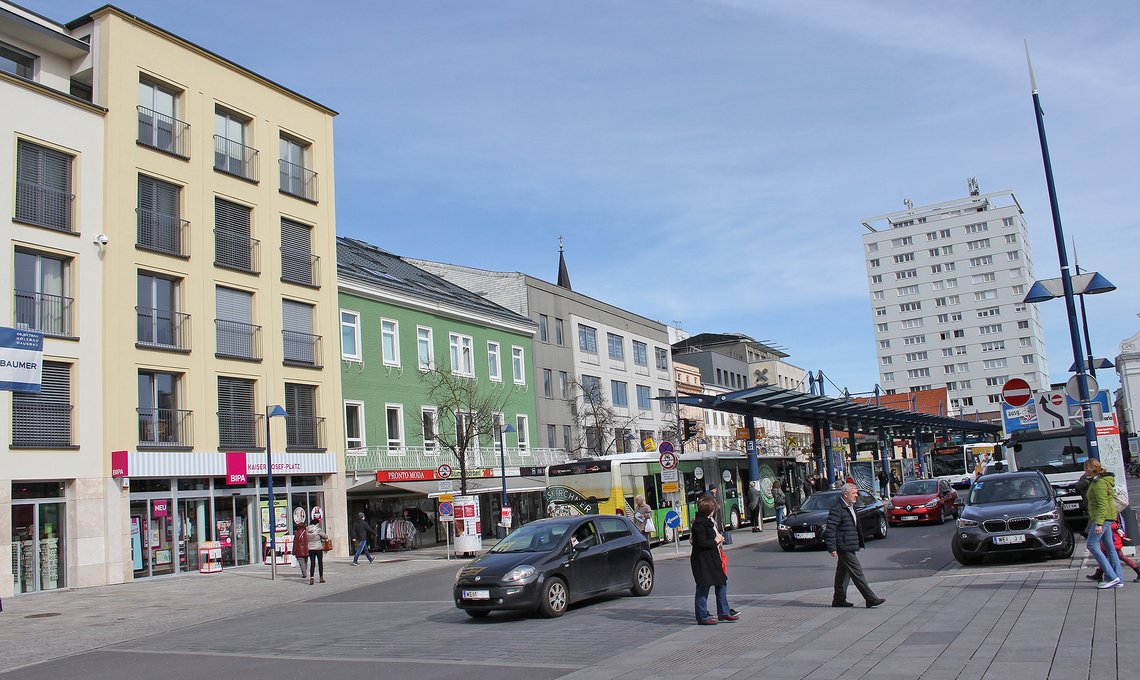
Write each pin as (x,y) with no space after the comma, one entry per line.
(467,409)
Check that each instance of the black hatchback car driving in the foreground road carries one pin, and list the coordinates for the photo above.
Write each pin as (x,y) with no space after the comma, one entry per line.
(549,564)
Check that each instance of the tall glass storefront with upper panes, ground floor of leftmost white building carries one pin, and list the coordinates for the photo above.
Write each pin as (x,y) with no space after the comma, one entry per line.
(38,536)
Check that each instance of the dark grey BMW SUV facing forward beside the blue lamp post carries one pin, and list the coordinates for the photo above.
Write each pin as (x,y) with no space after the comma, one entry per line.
(1012,513)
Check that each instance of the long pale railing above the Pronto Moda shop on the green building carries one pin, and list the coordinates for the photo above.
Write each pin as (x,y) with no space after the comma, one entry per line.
(371,459)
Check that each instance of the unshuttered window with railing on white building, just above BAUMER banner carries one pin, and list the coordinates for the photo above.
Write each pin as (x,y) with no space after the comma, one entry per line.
(40,287)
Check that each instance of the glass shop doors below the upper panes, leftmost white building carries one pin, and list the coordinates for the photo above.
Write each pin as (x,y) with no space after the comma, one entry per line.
(38,546)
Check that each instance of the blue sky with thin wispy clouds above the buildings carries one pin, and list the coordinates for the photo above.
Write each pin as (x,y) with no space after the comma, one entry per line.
(709,163)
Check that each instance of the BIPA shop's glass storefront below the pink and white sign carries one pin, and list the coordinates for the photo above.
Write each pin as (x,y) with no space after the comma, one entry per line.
(170,519)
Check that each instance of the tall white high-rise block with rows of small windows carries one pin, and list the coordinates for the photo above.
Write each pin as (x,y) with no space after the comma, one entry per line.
(947,284)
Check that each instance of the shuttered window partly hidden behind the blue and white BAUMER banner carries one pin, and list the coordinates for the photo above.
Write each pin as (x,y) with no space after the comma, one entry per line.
(44,419)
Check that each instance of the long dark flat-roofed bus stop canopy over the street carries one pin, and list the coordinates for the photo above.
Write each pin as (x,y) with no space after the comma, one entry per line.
(786,406)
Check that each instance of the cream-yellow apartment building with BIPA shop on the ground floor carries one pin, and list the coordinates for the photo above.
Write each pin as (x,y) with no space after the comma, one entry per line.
(218,301)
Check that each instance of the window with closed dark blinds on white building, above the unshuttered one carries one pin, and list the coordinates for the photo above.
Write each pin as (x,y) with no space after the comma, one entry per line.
(44,187)
